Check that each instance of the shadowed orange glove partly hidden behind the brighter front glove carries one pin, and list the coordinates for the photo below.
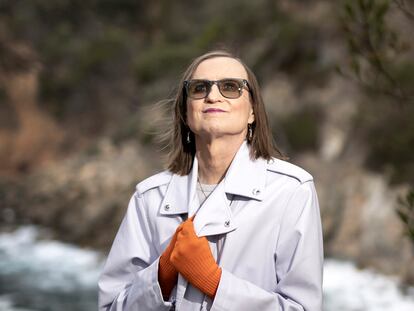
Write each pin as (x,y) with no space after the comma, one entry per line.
(167,274)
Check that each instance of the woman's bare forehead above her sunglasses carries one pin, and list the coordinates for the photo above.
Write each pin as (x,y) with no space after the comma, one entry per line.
(219,68)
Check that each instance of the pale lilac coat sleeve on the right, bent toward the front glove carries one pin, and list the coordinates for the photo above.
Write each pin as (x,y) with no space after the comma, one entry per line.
(298,260)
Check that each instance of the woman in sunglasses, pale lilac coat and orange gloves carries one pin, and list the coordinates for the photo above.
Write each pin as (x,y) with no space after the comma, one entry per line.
(228,226)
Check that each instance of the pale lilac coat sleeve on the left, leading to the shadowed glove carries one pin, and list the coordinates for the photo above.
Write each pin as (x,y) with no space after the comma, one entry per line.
(129,280)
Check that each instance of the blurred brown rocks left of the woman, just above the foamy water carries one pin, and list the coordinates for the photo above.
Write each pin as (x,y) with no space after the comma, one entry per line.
(82,199)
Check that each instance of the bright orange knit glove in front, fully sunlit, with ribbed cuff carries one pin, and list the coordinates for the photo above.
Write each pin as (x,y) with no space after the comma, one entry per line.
(192,257)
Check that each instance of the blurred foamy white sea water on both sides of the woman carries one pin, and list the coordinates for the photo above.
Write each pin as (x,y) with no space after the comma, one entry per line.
(38,275)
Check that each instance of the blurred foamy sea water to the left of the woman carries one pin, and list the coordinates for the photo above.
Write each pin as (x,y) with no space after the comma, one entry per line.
(46,275)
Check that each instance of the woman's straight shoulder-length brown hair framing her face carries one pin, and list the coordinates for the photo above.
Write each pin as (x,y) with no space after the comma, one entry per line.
(181,153)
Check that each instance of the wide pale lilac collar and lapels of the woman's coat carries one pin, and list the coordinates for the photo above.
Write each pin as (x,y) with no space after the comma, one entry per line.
(245,177)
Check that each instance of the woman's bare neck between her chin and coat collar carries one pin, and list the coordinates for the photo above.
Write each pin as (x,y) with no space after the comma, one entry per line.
(214,158)
